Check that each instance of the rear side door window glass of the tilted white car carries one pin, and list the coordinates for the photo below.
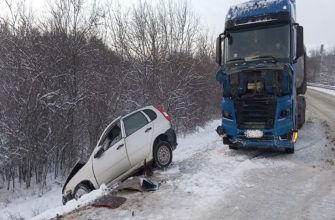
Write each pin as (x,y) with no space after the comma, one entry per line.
(134,122)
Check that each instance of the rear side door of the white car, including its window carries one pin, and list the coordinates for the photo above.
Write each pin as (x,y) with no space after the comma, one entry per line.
(138,131)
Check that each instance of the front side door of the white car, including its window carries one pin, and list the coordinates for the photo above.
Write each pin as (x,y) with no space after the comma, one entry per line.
(113,160)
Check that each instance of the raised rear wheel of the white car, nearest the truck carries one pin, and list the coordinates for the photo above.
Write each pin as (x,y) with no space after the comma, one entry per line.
(162,154)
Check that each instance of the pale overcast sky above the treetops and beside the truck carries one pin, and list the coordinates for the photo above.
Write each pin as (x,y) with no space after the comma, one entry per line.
(317,17)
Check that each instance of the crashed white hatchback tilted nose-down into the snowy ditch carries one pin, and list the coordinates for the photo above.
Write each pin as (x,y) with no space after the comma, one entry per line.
(127,144)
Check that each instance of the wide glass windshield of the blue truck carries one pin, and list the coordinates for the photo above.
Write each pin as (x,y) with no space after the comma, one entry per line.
(271,42)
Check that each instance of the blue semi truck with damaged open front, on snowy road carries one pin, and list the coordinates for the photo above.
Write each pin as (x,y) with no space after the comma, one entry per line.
(262,71)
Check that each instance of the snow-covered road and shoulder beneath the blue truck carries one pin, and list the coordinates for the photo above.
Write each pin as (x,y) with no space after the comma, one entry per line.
(213,182)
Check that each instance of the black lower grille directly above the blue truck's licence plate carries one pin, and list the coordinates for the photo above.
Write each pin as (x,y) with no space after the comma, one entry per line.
(255,112)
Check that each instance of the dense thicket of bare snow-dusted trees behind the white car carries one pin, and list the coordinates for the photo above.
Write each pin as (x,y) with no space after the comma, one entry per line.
(64,78)
